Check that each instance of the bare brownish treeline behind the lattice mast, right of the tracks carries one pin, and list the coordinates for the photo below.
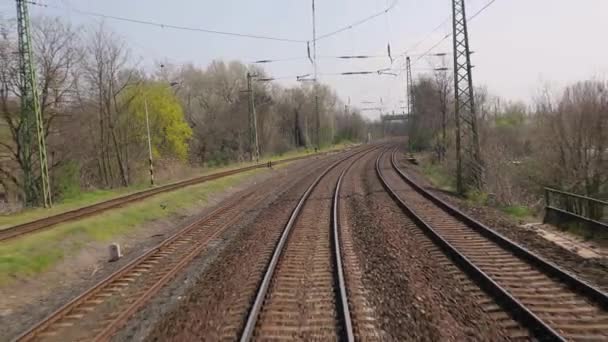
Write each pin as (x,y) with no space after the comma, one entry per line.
(560,141)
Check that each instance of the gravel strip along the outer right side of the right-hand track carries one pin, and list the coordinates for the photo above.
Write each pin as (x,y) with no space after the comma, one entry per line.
(593,271)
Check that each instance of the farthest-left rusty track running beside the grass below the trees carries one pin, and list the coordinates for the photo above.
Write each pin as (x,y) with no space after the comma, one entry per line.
(94,209)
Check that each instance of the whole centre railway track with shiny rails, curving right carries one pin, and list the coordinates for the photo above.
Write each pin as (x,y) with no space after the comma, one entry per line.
(303,293)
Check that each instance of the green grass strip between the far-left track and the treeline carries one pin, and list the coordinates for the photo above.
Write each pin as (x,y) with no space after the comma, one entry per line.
(87,198)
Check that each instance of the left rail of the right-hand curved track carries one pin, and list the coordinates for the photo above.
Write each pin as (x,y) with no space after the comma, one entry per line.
(502,296)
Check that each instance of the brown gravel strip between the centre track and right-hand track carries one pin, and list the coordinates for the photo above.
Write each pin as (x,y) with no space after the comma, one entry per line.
(416,292)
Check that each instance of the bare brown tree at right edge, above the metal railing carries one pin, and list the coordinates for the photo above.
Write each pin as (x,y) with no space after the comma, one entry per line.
(573,137)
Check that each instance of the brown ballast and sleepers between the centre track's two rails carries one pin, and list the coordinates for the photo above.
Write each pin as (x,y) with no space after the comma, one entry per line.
(301,302)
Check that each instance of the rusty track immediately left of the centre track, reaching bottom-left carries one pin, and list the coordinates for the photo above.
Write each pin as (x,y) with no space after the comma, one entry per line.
(100,311)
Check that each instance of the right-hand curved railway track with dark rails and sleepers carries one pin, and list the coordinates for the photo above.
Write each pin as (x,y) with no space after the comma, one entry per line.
(545,299)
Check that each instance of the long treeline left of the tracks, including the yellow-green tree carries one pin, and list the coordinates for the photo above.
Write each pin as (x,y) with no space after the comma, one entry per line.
(94,97)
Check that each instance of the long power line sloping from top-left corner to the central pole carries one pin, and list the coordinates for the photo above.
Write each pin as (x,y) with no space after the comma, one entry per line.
(162,25)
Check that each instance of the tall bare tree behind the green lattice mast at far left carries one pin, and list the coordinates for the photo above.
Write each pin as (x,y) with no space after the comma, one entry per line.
(57,53)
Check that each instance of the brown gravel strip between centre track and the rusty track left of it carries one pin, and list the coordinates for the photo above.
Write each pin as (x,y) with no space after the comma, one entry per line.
(216,305)
